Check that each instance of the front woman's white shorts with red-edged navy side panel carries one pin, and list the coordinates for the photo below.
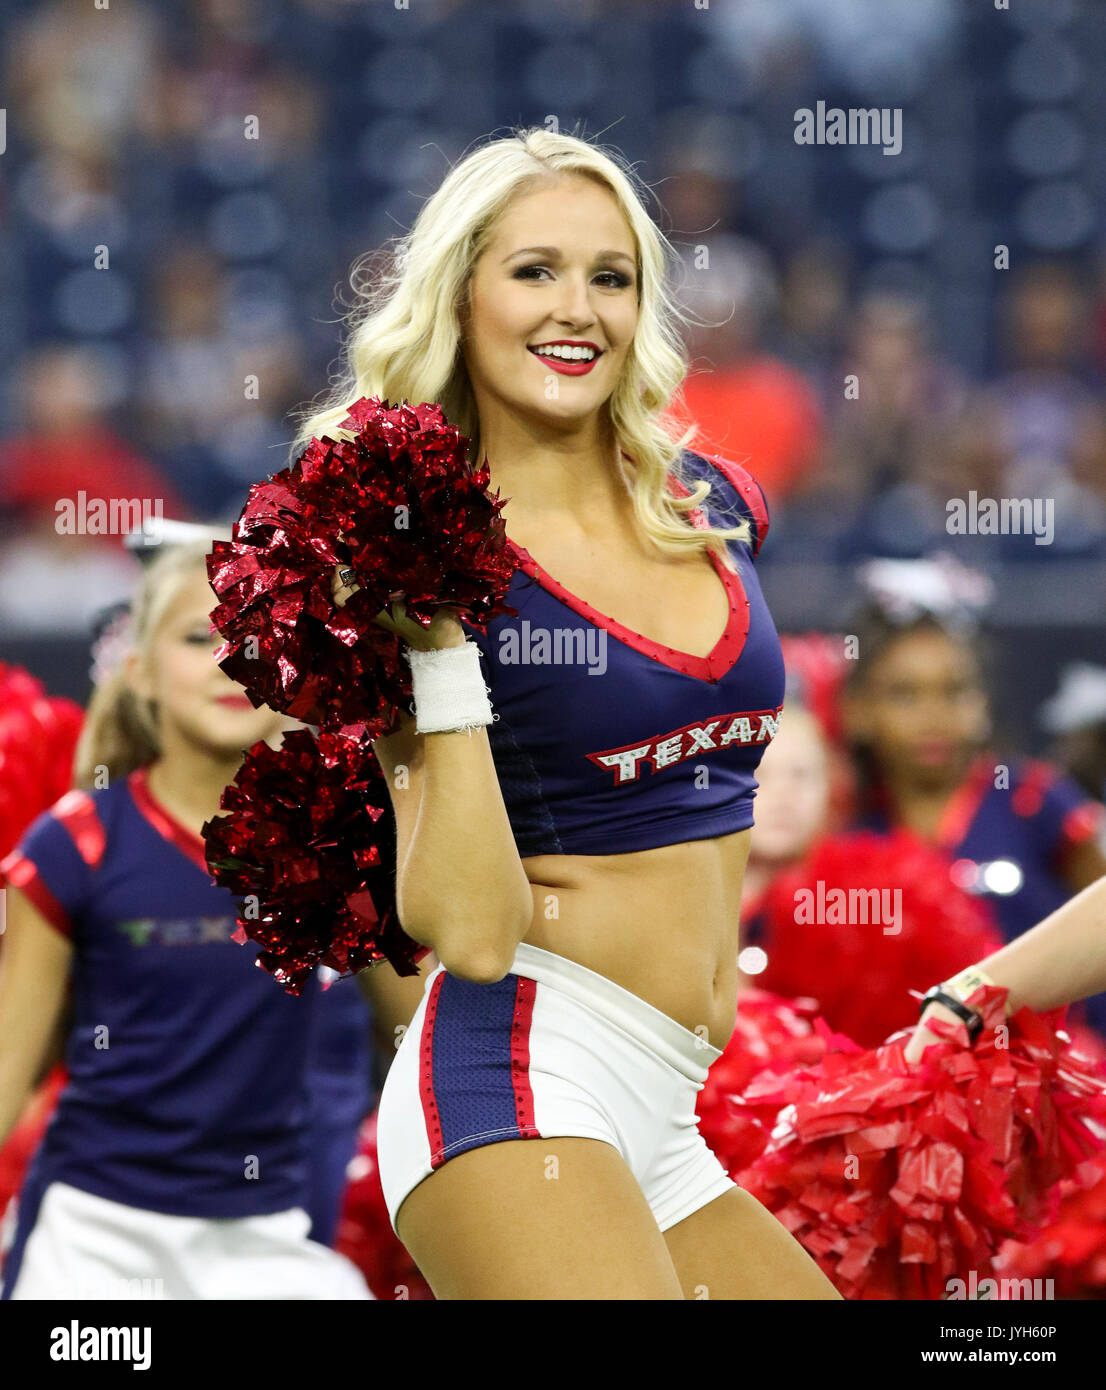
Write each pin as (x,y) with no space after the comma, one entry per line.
(550,1050)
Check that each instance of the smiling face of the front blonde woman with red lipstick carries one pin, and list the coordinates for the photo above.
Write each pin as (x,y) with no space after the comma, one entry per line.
(559,269)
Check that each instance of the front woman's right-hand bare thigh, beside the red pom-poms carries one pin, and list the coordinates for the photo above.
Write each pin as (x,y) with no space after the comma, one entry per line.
(734,1249)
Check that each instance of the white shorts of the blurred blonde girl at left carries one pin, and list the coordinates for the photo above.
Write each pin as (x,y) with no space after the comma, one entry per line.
(84,1246)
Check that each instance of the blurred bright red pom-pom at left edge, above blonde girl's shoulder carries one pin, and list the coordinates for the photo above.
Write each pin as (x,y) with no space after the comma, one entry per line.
(38,740)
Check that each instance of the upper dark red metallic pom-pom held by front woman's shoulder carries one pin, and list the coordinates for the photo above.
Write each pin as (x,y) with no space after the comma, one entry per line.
(401,505)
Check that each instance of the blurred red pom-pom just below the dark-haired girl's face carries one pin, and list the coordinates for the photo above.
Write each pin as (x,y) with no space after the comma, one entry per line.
(825,931)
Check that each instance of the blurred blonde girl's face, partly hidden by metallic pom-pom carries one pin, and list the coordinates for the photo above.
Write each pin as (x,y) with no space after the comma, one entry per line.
(197,703)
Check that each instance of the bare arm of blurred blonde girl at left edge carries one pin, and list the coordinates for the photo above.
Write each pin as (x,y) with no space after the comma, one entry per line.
(34,975)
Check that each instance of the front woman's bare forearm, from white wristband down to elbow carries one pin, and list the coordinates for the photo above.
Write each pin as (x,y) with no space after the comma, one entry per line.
(462,888)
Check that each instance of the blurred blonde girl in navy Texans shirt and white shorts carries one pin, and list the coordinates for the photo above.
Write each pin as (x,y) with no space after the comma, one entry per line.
(177,1163)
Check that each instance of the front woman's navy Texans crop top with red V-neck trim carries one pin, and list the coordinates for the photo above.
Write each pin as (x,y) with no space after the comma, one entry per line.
(606,742)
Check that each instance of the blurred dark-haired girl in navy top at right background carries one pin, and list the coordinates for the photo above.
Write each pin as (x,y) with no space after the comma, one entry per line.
(918,714)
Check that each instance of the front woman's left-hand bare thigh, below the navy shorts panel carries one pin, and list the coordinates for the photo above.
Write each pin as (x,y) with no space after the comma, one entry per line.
(559,1218)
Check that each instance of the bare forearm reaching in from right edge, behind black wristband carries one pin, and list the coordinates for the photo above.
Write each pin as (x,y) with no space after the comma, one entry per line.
(1061,960)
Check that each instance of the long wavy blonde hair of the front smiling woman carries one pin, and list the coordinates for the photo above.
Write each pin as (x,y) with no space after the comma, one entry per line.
(404,337)
